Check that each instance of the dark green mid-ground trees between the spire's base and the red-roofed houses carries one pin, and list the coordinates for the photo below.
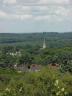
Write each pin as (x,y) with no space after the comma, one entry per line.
(11,55)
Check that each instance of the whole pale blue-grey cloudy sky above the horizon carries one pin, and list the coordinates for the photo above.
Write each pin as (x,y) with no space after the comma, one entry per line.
(18,16)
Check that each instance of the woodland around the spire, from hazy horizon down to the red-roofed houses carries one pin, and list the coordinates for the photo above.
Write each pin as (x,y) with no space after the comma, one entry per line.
(27,49)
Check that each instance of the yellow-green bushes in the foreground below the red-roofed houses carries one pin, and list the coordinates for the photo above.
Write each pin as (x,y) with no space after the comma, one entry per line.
(47,82)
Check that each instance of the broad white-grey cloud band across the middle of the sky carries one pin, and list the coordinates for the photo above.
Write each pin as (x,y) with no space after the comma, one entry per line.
(38,13)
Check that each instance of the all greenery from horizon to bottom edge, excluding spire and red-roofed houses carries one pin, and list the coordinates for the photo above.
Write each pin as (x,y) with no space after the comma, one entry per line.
(26,49)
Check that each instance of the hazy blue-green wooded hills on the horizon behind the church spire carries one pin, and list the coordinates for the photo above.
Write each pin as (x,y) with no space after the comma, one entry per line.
(53,39)
